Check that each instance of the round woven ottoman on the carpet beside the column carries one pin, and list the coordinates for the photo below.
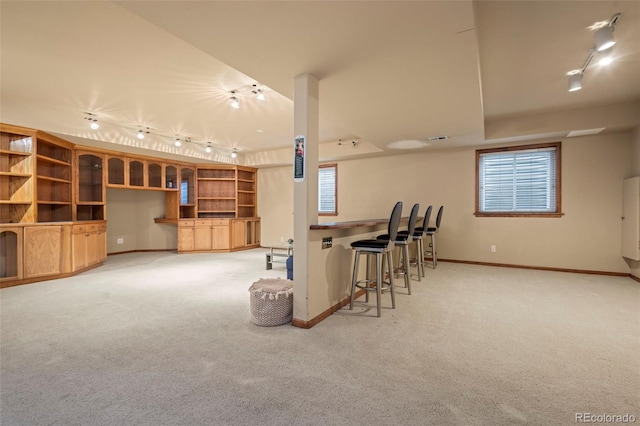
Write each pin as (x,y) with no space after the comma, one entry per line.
(271,301)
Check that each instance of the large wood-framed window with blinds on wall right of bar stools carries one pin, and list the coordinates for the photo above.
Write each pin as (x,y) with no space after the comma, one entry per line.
(518,181)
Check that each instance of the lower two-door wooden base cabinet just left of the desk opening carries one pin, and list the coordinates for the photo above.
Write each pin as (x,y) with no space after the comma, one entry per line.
(88,245)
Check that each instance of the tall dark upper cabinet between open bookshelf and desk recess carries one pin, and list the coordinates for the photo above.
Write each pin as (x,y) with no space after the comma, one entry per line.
(90,188)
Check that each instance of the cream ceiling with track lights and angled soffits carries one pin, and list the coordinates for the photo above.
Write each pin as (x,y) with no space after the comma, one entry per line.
(388,71)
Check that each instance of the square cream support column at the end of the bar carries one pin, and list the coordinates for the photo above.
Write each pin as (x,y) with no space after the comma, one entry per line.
(305,190)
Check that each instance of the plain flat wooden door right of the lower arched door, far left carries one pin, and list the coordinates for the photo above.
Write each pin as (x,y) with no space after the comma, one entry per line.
(42,247)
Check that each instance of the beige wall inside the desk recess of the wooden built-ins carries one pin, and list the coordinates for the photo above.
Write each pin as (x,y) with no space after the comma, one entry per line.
(130,215)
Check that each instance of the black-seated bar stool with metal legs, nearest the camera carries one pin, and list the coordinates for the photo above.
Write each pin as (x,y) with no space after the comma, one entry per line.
(377,248)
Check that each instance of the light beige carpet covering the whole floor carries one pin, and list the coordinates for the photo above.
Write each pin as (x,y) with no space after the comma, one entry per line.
(165,339)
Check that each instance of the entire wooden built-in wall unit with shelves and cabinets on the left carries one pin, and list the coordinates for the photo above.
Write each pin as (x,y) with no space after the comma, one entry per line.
(53,203)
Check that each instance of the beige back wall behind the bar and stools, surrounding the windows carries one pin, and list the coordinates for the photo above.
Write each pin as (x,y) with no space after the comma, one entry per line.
(587,237)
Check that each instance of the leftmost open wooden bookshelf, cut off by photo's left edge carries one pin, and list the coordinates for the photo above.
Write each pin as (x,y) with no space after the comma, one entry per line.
(16,174)
